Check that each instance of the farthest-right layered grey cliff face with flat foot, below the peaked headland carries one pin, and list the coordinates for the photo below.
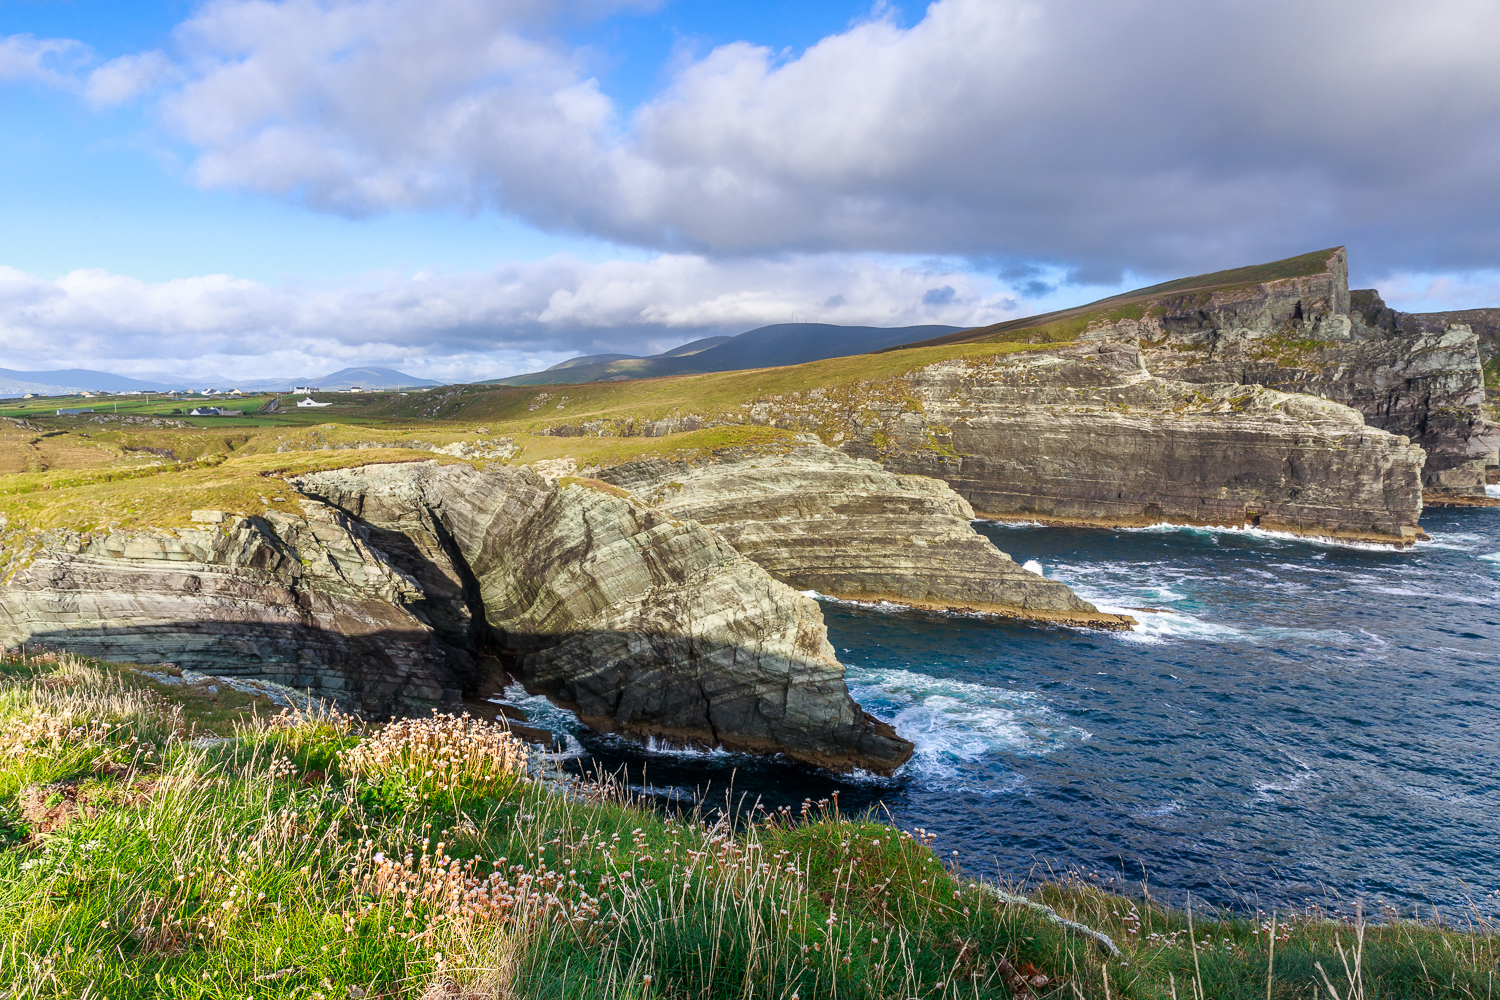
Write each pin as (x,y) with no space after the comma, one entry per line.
(1085,436)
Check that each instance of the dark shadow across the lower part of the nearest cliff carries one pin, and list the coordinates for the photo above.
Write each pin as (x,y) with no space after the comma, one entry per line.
(640,686)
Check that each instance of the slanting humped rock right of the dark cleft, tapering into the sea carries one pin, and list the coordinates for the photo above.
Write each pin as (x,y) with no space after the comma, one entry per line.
(638,621)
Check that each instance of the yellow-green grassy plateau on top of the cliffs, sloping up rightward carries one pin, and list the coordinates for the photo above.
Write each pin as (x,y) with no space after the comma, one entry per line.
(143,469)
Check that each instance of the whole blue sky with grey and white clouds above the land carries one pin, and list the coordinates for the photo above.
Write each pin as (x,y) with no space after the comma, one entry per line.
(466,190)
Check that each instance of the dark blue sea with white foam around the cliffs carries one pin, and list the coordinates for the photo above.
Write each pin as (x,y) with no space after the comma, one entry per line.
(1300,723)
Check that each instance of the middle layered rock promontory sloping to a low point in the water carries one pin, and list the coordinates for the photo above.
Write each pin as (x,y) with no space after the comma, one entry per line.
(820,519)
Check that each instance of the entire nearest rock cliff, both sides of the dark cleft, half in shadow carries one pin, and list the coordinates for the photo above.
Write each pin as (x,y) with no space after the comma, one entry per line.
(401,587)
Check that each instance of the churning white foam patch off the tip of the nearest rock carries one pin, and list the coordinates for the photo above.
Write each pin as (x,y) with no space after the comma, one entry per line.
(958,722)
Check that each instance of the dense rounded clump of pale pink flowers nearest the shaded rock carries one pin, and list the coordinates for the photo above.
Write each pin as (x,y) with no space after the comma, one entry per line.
(436,756)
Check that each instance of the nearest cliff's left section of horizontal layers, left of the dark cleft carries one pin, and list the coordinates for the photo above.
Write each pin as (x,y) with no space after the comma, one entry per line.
(301,600)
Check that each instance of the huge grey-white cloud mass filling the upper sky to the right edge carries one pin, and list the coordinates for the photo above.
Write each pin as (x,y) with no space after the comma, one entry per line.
(1162,137)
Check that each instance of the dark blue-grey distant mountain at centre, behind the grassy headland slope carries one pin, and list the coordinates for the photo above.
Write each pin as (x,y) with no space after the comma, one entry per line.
(767,347)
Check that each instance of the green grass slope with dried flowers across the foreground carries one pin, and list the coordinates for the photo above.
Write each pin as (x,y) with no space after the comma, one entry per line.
(313,857)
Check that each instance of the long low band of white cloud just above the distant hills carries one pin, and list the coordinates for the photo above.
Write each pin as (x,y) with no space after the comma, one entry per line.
(461,328)
